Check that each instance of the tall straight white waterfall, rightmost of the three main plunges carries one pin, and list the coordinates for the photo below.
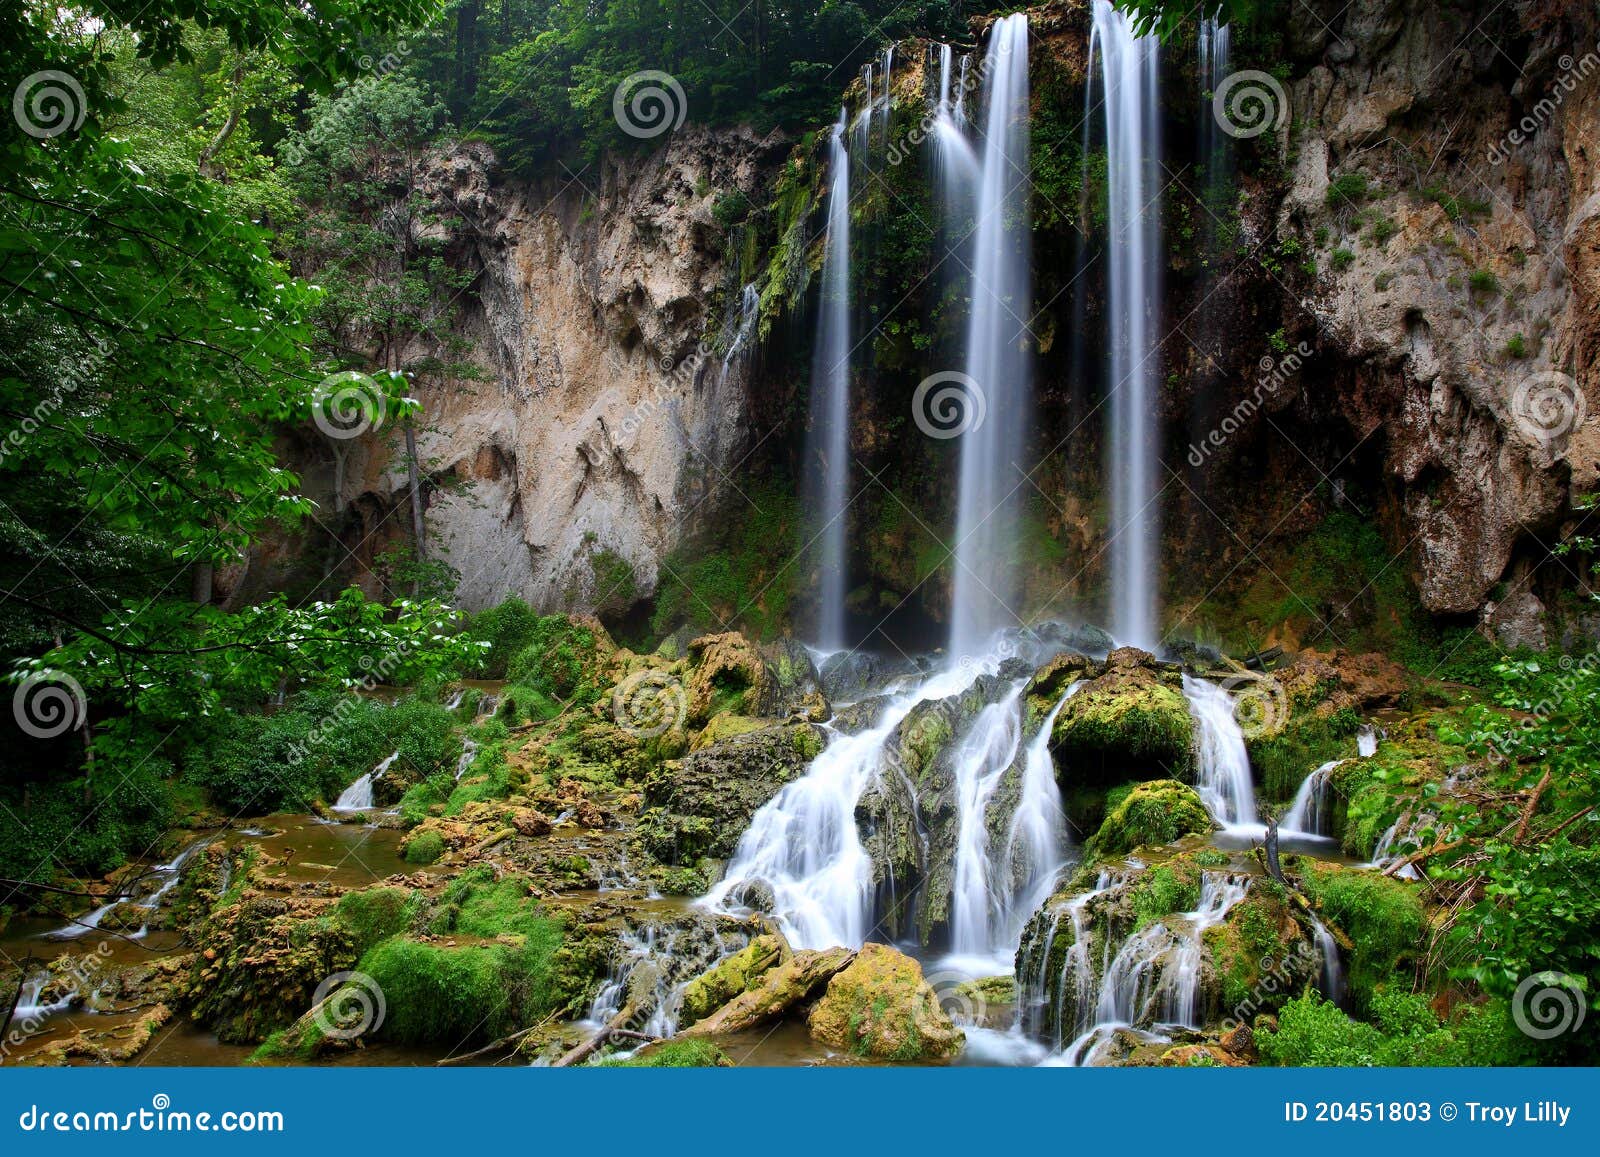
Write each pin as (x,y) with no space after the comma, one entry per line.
(1130,66)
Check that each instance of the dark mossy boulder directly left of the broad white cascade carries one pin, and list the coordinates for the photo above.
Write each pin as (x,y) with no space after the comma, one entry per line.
(700,806)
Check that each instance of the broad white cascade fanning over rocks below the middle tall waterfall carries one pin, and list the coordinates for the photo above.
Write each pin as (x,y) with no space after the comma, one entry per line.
(943,812)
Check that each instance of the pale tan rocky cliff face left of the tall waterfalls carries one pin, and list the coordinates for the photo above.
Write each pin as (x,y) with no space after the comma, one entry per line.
(604,412)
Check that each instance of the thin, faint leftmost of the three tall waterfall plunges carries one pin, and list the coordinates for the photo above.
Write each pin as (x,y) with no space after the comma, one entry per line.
(831,399)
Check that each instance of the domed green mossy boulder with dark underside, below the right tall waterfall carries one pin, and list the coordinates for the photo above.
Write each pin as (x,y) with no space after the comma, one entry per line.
(1130,723)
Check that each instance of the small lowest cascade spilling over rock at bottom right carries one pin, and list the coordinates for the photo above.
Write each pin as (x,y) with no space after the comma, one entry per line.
(1154,979)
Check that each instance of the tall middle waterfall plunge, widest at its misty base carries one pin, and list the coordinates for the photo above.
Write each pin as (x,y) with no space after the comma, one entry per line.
(998,362)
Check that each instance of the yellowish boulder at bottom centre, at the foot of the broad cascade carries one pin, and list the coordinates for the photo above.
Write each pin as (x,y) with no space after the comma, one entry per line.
(882,1007)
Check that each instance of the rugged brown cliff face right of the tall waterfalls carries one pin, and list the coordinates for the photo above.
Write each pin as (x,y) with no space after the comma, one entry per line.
(1462,302)
